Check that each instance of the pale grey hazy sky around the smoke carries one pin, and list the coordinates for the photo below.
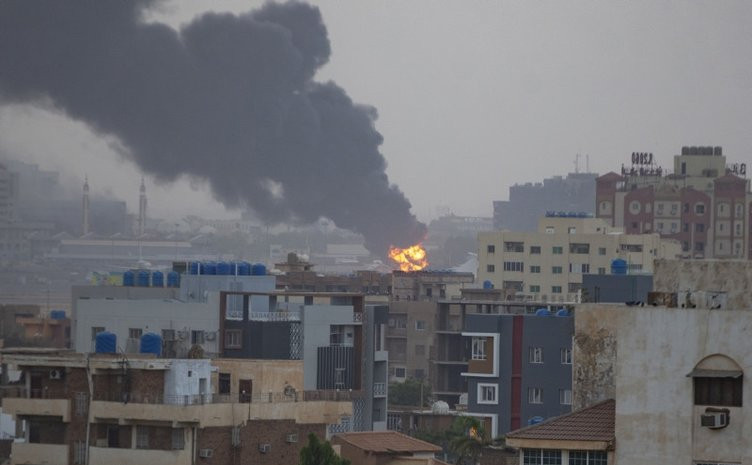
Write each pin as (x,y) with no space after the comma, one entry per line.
(474,96)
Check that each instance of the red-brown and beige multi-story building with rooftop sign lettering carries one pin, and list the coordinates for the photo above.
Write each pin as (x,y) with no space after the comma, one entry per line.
(703,204)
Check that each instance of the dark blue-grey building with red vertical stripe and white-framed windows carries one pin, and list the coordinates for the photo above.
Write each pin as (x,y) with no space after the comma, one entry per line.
(519,369)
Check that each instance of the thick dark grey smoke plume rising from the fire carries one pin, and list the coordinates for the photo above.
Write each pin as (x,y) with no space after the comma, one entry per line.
(227,98)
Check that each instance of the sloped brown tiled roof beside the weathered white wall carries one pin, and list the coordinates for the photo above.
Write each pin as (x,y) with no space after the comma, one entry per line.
(594,423)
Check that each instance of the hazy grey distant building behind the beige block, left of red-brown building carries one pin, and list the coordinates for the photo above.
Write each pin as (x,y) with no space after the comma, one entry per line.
(528,202)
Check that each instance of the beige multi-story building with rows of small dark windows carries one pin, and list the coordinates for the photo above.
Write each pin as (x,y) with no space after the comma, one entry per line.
(547,265)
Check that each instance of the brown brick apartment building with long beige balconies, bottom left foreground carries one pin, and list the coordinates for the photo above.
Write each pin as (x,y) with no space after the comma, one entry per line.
(107,408)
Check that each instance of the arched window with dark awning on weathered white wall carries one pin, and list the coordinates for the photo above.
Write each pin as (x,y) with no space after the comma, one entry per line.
(718,381)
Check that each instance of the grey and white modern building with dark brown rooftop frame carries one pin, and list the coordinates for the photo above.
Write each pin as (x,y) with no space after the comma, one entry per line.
(338,337)
